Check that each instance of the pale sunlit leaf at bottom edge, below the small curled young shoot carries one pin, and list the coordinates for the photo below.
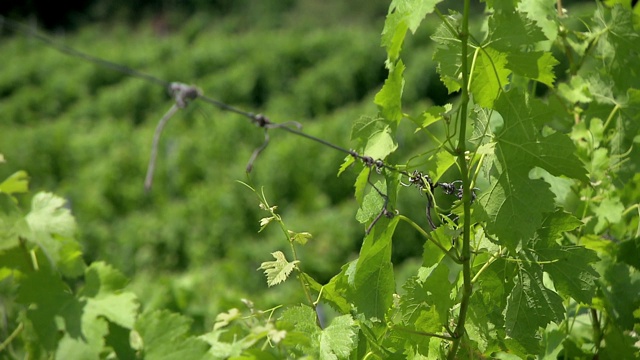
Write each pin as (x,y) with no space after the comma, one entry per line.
(338,339)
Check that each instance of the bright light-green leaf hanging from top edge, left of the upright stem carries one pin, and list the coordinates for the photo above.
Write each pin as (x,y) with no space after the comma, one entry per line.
(403,15)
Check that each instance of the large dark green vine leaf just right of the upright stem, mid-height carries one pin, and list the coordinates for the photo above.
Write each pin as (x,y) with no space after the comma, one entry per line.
(515,203)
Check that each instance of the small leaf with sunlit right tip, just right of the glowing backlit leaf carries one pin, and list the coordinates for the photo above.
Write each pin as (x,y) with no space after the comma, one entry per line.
(536,65)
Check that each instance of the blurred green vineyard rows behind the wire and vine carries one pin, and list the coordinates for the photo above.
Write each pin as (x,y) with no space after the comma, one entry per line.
(192,243)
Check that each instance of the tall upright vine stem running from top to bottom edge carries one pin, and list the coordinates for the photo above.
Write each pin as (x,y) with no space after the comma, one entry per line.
(467,286)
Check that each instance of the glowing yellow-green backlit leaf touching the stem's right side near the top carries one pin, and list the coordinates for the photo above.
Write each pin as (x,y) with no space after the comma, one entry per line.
(490,75)
